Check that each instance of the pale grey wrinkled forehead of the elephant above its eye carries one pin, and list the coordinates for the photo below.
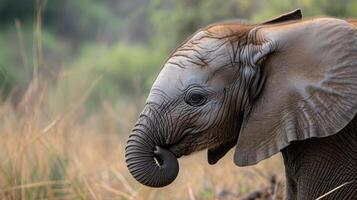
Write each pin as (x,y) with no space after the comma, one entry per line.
(195,62)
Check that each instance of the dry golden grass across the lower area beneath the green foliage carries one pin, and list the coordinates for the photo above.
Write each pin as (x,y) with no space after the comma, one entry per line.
(60,156)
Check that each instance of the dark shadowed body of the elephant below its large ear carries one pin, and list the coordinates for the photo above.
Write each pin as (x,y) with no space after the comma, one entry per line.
(317,166)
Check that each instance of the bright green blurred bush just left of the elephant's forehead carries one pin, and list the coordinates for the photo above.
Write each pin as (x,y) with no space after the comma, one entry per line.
(127,70)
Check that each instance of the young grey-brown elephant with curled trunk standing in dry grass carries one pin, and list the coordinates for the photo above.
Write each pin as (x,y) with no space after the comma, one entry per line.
(286,85)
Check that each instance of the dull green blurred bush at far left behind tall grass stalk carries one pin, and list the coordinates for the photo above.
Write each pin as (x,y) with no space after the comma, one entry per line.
(19,57)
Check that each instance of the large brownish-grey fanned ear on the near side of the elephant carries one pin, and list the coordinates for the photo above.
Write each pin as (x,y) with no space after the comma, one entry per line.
(310,88)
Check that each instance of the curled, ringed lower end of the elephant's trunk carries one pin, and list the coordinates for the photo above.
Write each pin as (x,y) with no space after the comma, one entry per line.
(149,163)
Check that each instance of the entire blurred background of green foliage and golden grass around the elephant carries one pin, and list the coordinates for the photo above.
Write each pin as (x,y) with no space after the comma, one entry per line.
(75,74)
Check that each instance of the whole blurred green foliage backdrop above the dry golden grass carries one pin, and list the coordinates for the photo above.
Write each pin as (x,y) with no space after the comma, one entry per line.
(124,42)
